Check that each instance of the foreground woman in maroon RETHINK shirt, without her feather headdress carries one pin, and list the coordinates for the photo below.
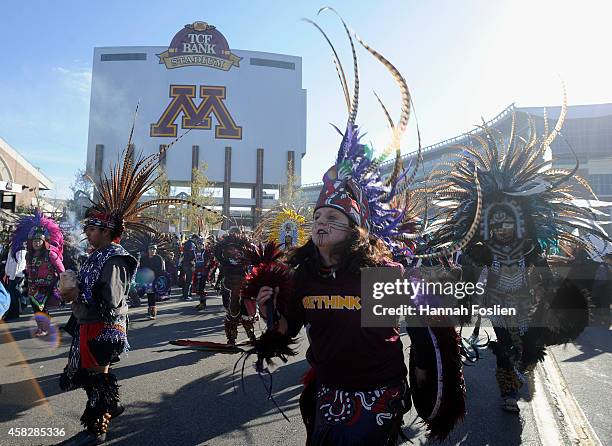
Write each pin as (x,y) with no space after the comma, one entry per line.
(358,378)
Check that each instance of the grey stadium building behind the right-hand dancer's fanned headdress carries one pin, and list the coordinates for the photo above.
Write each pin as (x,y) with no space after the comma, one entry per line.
(587,131)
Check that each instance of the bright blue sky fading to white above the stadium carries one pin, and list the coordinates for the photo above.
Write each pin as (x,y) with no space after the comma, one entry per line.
(462,60)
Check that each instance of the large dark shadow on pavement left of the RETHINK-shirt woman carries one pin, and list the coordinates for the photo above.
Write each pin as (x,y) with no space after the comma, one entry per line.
(219,409)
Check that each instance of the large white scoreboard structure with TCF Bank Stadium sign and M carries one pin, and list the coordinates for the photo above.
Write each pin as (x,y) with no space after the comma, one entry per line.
(244,111)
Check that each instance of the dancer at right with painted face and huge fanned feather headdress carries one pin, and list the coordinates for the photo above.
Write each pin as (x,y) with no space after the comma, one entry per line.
(525,207)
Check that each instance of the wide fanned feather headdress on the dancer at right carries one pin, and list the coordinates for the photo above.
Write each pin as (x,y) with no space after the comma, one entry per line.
(519,183)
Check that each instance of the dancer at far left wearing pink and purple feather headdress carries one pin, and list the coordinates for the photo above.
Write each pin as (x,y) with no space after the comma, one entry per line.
(43,264)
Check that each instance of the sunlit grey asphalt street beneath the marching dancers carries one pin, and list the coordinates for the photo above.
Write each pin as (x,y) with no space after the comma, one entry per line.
(178,396)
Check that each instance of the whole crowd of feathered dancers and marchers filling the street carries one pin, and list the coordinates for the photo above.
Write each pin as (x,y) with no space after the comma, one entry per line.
(505,219)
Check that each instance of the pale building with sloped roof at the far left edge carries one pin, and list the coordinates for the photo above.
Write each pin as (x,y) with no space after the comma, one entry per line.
(20,181)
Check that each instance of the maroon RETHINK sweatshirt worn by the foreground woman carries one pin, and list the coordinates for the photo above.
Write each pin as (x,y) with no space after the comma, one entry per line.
(343,354)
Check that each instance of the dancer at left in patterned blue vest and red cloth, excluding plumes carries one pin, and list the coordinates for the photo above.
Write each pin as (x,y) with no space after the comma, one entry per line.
(99,303)
